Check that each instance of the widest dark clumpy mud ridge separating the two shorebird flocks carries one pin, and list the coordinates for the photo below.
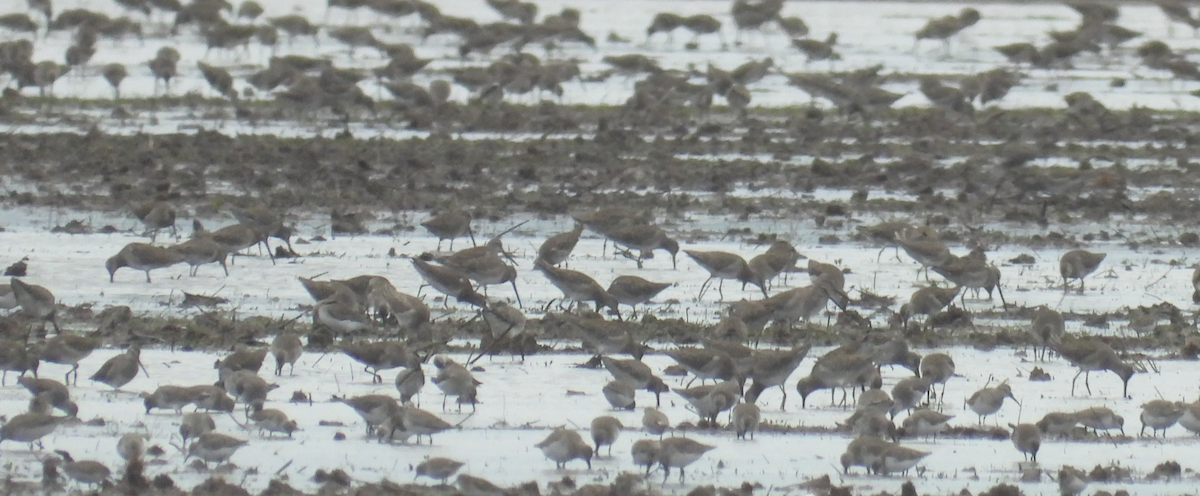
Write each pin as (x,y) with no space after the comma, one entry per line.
(1048,168)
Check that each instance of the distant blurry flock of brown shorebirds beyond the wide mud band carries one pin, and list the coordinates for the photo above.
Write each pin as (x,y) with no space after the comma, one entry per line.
(315,83)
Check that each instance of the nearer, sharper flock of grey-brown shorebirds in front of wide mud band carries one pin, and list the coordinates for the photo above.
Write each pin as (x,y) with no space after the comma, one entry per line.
(740,374)
